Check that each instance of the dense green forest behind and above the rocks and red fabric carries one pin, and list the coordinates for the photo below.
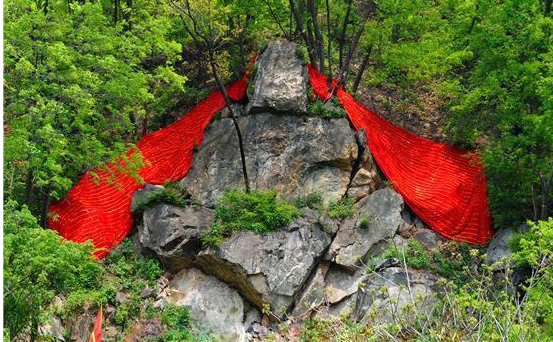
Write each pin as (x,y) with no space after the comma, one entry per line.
(85,80)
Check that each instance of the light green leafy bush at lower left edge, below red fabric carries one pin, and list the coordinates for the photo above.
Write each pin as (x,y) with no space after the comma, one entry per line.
(38,266)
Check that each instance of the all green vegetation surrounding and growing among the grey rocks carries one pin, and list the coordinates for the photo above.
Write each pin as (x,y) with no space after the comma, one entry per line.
(85,80)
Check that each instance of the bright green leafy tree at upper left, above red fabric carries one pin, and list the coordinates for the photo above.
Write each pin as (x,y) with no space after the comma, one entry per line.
(77,87)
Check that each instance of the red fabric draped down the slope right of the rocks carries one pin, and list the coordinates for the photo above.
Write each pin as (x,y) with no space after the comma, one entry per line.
(444,186)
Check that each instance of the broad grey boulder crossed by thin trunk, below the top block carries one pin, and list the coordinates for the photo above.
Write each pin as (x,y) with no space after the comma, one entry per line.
(293,155)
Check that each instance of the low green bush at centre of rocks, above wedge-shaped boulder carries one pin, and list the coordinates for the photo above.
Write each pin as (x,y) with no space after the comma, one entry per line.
(258,211)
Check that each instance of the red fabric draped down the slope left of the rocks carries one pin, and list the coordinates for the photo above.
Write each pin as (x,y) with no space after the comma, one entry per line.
(98,209)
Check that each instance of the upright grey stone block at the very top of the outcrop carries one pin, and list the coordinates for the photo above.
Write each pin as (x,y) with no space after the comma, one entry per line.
(280,81)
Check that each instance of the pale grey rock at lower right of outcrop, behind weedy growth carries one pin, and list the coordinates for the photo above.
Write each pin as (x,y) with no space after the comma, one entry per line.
(390,293)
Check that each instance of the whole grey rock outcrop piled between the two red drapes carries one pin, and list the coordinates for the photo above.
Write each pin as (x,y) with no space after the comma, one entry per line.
(315,266)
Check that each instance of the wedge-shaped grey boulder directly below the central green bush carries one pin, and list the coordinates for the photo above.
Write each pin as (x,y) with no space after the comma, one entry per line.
(269,268)
